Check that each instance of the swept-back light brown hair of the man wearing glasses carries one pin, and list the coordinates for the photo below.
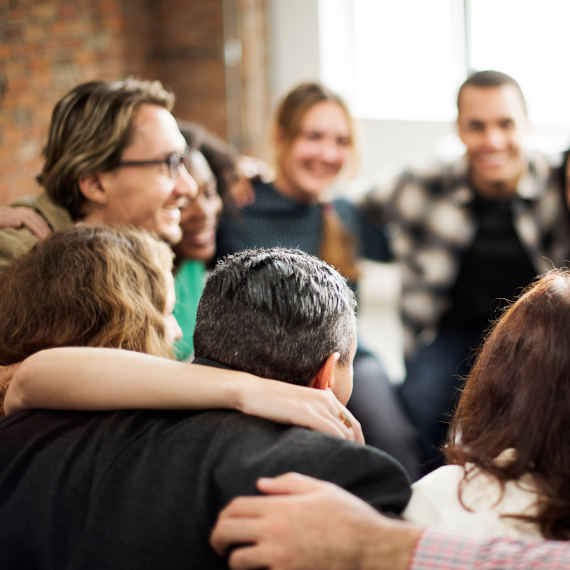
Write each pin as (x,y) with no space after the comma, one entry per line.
(90,126)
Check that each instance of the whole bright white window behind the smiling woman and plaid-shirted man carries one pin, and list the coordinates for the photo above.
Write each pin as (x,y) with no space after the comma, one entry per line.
(405,59)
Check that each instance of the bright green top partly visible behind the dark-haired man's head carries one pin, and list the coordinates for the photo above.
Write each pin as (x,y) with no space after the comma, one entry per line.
(188,285)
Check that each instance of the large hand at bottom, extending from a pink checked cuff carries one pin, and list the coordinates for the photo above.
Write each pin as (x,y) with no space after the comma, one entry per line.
(310,524)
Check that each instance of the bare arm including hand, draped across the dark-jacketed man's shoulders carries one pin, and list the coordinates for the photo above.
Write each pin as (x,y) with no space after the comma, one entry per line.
(109,379)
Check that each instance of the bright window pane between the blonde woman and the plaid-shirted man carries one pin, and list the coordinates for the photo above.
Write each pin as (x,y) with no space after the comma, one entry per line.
(404,59)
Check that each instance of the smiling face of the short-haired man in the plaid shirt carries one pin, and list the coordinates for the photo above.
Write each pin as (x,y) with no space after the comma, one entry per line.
(491,123)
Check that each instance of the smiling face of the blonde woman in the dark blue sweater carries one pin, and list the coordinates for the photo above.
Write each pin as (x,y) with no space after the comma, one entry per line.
(317,154)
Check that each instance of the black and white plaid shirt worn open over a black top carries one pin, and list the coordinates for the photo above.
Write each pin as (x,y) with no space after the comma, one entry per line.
(431,225)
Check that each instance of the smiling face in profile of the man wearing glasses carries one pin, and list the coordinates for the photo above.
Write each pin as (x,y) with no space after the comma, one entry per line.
(146,196)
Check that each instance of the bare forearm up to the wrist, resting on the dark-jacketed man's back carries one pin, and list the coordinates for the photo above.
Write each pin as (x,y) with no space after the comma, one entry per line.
(102,379)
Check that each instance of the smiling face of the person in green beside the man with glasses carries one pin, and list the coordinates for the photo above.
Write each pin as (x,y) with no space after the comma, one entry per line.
(200,217)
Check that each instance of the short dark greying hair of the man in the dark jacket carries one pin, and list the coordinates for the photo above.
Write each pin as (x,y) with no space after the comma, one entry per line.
(277,313)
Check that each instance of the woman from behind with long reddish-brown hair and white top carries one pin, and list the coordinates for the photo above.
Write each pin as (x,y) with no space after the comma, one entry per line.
(510,438)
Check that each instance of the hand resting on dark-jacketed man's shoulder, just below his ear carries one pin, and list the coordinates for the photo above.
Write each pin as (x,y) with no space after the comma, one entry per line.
(285,403)
